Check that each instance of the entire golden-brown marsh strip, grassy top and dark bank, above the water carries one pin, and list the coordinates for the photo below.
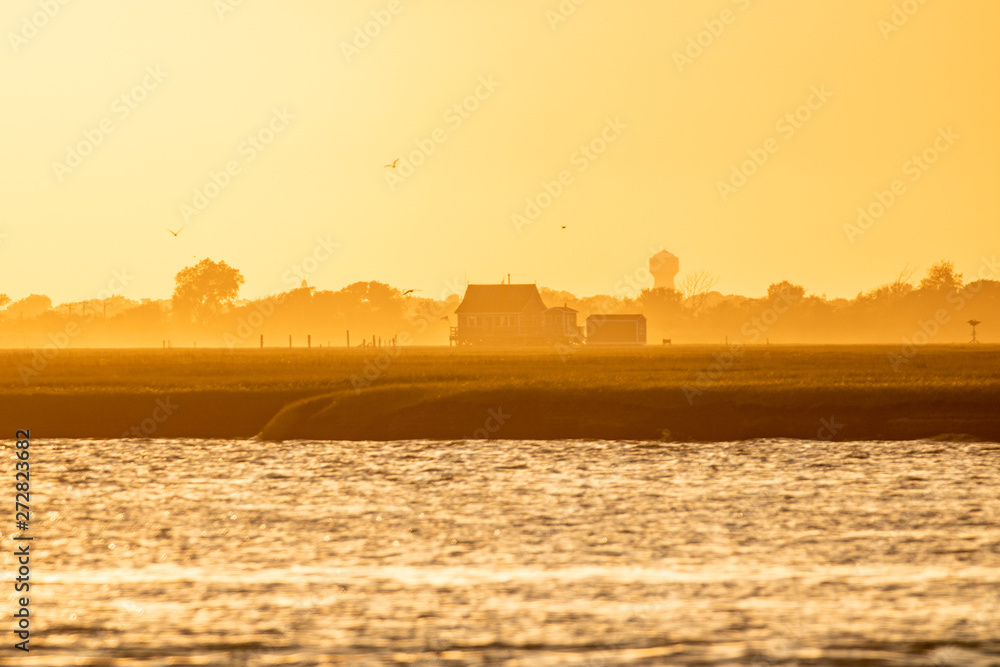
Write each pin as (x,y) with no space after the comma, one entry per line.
(698,393)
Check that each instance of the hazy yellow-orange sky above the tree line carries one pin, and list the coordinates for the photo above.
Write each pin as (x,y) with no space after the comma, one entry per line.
(326,110)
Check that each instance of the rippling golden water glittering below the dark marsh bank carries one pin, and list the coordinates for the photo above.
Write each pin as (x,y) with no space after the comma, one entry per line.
(768,552)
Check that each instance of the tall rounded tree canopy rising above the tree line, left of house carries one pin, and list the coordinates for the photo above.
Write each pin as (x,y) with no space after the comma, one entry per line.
(203,290)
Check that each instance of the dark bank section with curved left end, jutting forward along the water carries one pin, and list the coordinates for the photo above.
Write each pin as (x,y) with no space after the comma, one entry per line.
(398,413)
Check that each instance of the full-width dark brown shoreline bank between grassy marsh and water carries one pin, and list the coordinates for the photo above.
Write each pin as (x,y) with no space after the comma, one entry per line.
(408,412)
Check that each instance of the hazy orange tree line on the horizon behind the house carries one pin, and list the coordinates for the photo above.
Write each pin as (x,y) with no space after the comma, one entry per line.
(205,310)
